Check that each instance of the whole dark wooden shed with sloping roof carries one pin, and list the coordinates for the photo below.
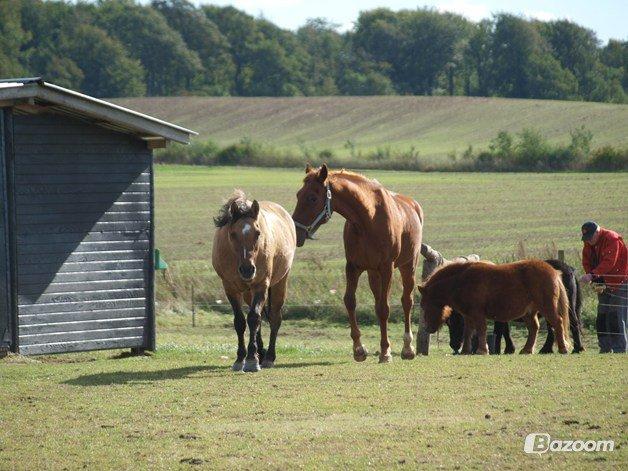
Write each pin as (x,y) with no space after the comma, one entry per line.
(76,220)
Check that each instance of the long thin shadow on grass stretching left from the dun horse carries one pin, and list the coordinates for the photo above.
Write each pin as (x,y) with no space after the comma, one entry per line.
(131,377)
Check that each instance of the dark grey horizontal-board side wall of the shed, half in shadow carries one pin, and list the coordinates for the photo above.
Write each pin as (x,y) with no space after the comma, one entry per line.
(83,210)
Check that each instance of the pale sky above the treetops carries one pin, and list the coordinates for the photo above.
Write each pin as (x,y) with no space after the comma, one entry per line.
(608,18)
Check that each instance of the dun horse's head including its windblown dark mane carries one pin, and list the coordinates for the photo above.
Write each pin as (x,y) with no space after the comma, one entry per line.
(243,231)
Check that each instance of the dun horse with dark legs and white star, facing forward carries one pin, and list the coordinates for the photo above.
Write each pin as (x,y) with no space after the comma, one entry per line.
(253,250)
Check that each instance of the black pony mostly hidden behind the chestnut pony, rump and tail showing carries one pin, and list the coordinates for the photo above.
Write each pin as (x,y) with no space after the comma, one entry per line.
(574,294)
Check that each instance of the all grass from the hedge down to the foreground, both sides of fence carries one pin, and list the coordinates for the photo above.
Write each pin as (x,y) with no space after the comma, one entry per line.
(183,407)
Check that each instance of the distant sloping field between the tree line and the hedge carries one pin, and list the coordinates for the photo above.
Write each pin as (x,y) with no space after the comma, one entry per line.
(435,126)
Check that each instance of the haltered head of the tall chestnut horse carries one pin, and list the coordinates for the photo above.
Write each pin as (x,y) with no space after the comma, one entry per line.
(313,203)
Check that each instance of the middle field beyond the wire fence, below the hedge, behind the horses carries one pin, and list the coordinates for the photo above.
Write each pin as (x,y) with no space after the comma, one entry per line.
(499,216)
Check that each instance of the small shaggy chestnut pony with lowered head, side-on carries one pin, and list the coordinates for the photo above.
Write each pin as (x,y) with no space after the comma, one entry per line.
(481,291)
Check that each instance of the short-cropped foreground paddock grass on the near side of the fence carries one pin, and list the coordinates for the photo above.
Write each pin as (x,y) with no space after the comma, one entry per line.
(316,409)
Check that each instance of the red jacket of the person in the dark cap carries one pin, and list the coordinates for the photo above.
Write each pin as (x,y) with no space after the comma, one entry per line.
(608,259)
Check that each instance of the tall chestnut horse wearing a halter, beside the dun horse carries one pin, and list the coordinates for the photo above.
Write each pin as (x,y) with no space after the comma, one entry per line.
(382,232)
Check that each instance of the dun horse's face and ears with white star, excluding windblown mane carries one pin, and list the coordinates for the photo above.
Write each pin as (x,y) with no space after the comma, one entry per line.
(244,235)
